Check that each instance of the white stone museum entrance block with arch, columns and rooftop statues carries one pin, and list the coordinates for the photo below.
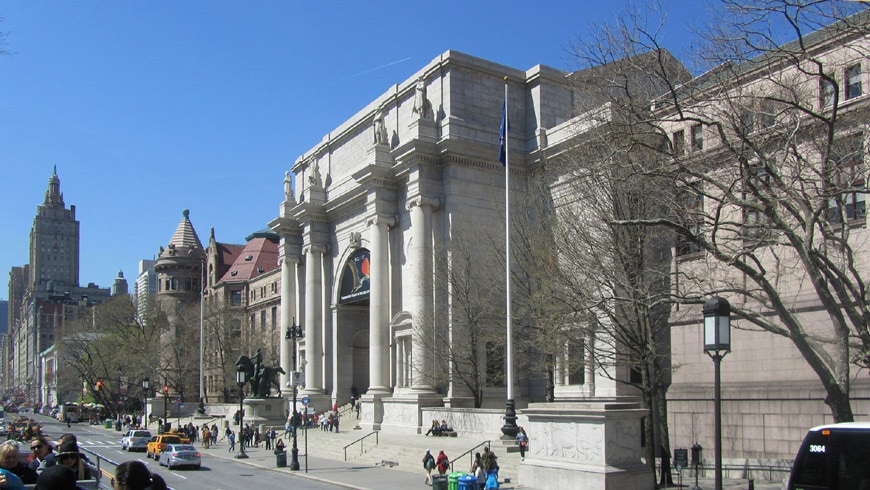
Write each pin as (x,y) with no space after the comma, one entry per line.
(377,210)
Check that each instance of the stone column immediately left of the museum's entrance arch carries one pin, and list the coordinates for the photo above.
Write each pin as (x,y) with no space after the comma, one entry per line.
(313,319)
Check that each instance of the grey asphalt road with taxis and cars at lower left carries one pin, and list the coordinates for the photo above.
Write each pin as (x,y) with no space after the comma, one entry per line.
(215,474)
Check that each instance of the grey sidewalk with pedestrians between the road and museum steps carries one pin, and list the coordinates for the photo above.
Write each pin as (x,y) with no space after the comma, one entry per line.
(365,476)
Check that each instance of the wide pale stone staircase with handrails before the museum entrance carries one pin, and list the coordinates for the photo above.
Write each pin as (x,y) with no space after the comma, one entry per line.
(405,451)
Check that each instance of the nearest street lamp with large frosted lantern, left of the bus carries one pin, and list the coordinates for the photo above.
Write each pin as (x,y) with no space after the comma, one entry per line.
(717,343)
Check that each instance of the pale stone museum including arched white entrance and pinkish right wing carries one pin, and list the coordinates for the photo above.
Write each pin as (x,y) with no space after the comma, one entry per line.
(381,201)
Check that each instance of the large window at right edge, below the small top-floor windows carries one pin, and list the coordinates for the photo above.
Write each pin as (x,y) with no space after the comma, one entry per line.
(847,196)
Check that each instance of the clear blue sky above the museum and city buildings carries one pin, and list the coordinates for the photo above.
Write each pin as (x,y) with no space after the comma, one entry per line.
(148,108)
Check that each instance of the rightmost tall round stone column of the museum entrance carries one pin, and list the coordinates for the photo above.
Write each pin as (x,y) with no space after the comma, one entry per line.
(421,301)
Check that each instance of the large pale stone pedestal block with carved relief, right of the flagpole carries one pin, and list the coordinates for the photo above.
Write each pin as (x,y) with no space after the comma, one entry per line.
(585,445)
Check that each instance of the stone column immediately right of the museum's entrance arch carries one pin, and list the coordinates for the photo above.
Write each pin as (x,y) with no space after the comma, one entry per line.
(379,307)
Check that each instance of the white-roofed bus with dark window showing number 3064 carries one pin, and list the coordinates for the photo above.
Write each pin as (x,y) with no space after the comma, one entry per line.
(835,456)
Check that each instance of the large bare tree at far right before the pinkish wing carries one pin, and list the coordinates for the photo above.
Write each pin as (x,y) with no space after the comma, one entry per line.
(768,157)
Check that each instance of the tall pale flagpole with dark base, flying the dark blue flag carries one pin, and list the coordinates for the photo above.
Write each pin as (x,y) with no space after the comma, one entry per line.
(510,416)
